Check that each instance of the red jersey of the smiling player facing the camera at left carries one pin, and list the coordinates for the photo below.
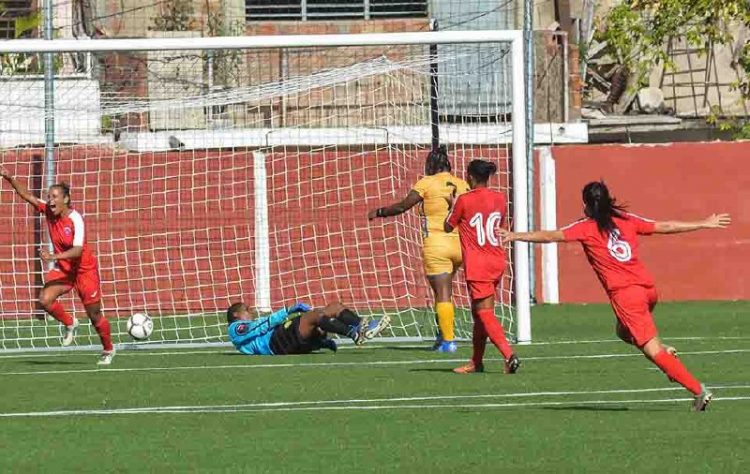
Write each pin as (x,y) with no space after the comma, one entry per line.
(67,232)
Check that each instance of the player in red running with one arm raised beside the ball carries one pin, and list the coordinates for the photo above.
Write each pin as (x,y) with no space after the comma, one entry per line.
(74,265)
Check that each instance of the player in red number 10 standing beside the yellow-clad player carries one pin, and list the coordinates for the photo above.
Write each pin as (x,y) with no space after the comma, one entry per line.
(477,214)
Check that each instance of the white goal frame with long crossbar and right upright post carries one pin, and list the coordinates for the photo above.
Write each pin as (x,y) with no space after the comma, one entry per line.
(514,38)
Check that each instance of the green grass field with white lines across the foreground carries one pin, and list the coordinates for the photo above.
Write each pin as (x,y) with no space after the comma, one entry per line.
(582,402)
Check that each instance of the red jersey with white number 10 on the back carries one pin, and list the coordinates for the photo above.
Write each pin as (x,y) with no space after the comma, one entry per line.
(476,214)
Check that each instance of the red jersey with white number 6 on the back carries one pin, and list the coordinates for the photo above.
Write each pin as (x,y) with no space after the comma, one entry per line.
(614,257)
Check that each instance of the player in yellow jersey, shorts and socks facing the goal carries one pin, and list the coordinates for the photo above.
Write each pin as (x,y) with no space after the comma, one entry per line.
(441,251)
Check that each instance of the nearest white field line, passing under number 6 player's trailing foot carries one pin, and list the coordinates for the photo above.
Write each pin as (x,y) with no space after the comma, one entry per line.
(339,407)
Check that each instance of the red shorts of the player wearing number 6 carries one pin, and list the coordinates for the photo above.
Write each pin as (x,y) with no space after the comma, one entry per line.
(632,306)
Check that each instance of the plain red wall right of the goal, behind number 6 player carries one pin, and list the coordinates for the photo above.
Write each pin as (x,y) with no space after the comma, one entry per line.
(680,181)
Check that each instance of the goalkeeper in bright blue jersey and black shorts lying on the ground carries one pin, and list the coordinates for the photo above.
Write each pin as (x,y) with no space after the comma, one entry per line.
(298,329)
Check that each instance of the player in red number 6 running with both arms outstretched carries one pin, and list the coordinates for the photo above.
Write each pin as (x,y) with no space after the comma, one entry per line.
(609,236)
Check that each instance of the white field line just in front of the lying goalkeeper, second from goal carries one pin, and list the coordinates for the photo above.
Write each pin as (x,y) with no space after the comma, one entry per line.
(346,364)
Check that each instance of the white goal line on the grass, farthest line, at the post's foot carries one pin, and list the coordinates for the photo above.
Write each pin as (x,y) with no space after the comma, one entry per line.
(126,351)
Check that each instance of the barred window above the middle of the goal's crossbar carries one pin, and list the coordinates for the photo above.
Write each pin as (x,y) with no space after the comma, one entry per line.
(305,10)
